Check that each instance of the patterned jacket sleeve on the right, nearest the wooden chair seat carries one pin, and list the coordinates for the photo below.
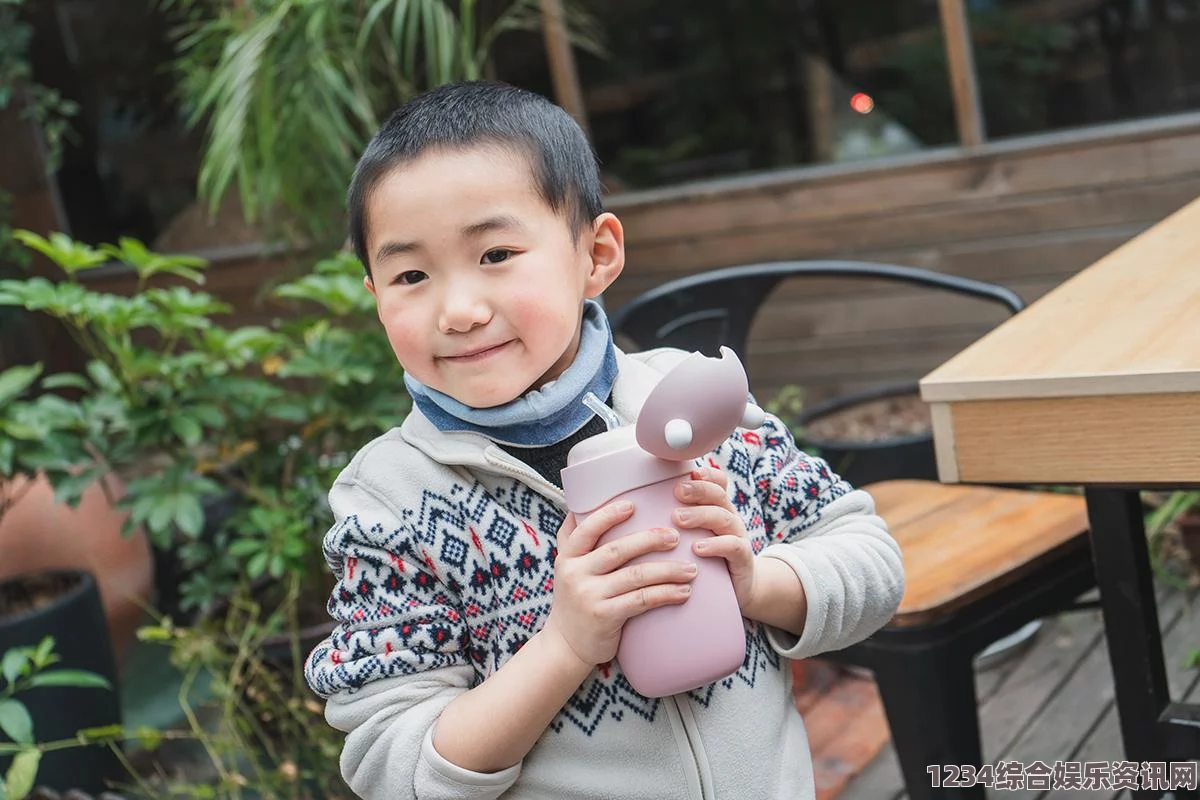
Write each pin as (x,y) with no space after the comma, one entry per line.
(829,533)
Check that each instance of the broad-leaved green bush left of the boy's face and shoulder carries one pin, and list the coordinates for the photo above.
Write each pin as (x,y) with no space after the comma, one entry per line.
(188,412)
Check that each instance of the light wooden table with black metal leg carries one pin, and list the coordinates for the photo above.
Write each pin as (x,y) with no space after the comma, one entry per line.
(1097,386)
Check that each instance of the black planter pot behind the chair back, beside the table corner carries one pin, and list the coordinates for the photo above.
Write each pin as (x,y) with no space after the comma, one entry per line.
(862,462)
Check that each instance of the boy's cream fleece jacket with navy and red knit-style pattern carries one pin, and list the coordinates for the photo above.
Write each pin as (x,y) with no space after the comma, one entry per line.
(445,548)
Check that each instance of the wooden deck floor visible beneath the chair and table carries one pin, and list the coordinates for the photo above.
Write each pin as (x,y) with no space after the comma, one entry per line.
(1052,703)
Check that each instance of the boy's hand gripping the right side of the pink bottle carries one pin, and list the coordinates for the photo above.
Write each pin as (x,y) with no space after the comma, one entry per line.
(709,507)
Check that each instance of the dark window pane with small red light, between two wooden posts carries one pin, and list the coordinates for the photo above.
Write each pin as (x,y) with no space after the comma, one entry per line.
(707,88)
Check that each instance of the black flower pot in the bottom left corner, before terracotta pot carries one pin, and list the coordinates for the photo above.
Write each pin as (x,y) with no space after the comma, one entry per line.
(67,606)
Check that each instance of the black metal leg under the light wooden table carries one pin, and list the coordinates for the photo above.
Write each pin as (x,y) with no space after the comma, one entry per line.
(1124,574)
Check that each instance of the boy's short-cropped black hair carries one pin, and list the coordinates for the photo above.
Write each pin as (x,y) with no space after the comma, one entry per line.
(459,116)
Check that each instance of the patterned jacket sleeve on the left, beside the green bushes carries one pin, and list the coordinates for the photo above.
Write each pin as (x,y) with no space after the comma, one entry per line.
(398,657)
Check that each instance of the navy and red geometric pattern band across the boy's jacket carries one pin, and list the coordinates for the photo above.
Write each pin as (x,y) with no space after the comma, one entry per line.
(466,579)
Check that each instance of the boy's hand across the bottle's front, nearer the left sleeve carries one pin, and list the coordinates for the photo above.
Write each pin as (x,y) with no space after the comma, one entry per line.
(597,591)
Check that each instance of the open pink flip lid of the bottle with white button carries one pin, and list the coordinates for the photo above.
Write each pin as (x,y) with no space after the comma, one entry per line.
(697,407)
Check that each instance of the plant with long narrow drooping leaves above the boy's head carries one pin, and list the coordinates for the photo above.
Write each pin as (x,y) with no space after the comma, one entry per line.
(292,91)
